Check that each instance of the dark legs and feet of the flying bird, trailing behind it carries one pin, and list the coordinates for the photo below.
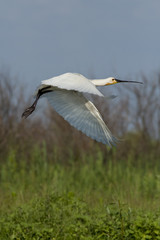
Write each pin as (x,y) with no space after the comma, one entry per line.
(29,110)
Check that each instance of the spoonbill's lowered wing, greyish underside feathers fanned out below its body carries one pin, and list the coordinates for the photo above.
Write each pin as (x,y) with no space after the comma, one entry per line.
(81,114)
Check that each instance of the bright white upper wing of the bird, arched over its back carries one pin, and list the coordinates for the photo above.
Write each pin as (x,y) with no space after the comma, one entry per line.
(73,81)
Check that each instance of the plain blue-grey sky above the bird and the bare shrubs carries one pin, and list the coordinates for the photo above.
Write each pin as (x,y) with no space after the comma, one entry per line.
(43,38)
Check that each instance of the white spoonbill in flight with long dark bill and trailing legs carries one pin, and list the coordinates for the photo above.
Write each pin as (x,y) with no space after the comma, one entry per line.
(65,94)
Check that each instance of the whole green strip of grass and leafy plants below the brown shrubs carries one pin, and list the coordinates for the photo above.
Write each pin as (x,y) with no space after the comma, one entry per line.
(83,199)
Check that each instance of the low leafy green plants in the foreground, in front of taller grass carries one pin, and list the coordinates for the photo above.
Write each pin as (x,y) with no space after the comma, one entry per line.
(67,217)
